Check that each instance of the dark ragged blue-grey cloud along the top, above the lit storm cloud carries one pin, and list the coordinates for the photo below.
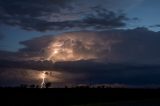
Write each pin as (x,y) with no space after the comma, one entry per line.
(44,15)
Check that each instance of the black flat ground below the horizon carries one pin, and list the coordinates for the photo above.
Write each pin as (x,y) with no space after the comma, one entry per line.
(80,97)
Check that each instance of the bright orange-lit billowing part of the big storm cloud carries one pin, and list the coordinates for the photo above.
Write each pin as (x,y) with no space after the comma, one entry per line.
(80,46)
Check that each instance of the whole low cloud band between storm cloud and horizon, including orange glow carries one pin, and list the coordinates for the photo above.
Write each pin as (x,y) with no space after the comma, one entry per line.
(81,72)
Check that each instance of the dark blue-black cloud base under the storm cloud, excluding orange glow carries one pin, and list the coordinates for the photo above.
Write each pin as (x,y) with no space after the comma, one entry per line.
(92,72)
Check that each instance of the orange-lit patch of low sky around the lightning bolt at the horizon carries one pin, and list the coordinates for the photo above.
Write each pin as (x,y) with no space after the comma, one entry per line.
(16,77)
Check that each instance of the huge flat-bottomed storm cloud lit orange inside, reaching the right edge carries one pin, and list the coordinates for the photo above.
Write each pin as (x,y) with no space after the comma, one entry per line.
(138,45)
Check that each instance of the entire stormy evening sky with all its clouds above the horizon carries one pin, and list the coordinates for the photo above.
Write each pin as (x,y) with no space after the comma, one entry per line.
(80,42)
